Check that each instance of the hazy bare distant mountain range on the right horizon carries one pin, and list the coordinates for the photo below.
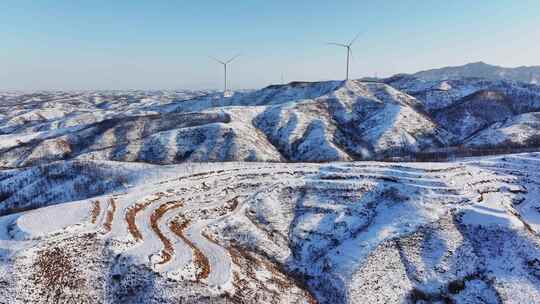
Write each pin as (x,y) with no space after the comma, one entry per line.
(527,74)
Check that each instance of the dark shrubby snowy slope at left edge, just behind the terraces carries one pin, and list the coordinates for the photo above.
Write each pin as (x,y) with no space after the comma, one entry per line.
(59,182)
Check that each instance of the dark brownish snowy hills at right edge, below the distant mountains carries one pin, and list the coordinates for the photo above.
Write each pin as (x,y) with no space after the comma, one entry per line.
(469,106)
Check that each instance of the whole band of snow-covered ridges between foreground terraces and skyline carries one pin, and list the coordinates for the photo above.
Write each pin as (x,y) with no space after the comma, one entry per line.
(321,121)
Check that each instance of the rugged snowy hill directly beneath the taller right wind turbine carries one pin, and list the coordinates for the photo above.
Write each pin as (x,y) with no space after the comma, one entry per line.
(357,121)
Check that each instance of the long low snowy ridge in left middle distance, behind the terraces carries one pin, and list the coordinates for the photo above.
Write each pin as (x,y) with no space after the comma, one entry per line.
(152,138)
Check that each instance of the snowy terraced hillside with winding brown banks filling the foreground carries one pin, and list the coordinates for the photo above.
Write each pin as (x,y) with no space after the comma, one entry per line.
(368,232)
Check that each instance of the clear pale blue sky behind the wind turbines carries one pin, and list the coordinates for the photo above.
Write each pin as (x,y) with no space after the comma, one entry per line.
(67,44)
